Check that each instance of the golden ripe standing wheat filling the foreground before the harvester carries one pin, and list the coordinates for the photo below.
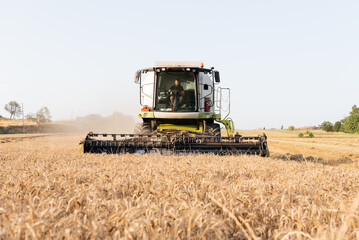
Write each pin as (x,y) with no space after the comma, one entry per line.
(49,190)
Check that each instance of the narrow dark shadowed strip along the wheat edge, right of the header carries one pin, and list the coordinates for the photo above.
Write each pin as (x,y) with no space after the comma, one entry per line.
(302,158)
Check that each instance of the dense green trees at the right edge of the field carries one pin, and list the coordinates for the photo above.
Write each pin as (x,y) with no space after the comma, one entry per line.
(349,124)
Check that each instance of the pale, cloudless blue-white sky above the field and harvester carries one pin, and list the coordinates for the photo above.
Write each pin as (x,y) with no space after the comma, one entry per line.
(287,62)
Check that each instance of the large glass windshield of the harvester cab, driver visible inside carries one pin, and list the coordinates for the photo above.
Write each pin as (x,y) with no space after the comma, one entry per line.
(176,91)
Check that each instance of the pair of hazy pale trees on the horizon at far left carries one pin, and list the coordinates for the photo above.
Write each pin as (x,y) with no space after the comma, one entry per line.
(40,117)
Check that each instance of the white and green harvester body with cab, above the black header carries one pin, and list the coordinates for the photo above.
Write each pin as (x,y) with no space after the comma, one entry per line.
(182,96)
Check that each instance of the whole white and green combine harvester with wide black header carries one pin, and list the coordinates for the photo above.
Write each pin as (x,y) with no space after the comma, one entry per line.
(181,111)
